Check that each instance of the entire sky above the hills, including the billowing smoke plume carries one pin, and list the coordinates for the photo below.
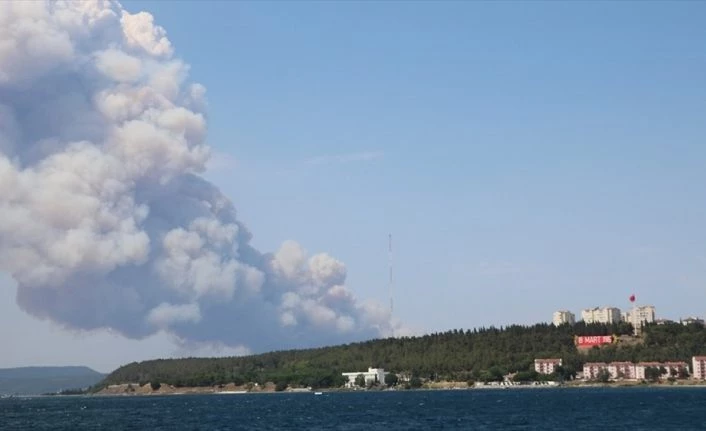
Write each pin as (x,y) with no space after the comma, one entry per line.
(526,157)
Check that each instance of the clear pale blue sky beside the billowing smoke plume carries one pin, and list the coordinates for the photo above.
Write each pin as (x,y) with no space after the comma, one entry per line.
(525,156)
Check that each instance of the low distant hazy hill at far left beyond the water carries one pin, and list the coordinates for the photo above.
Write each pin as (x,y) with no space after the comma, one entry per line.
(41,380)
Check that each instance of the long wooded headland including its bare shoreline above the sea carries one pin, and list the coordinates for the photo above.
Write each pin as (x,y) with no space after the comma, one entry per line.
(483,355)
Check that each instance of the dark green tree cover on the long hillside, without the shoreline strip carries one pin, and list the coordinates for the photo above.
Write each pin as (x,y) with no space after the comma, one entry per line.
(479,354)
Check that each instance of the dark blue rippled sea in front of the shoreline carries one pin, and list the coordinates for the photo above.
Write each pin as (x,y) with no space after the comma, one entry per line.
(490,409)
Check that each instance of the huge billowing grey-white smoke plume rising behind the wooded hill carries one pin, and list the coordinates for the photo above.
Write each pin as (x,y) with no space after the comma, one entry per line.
(104,220)
